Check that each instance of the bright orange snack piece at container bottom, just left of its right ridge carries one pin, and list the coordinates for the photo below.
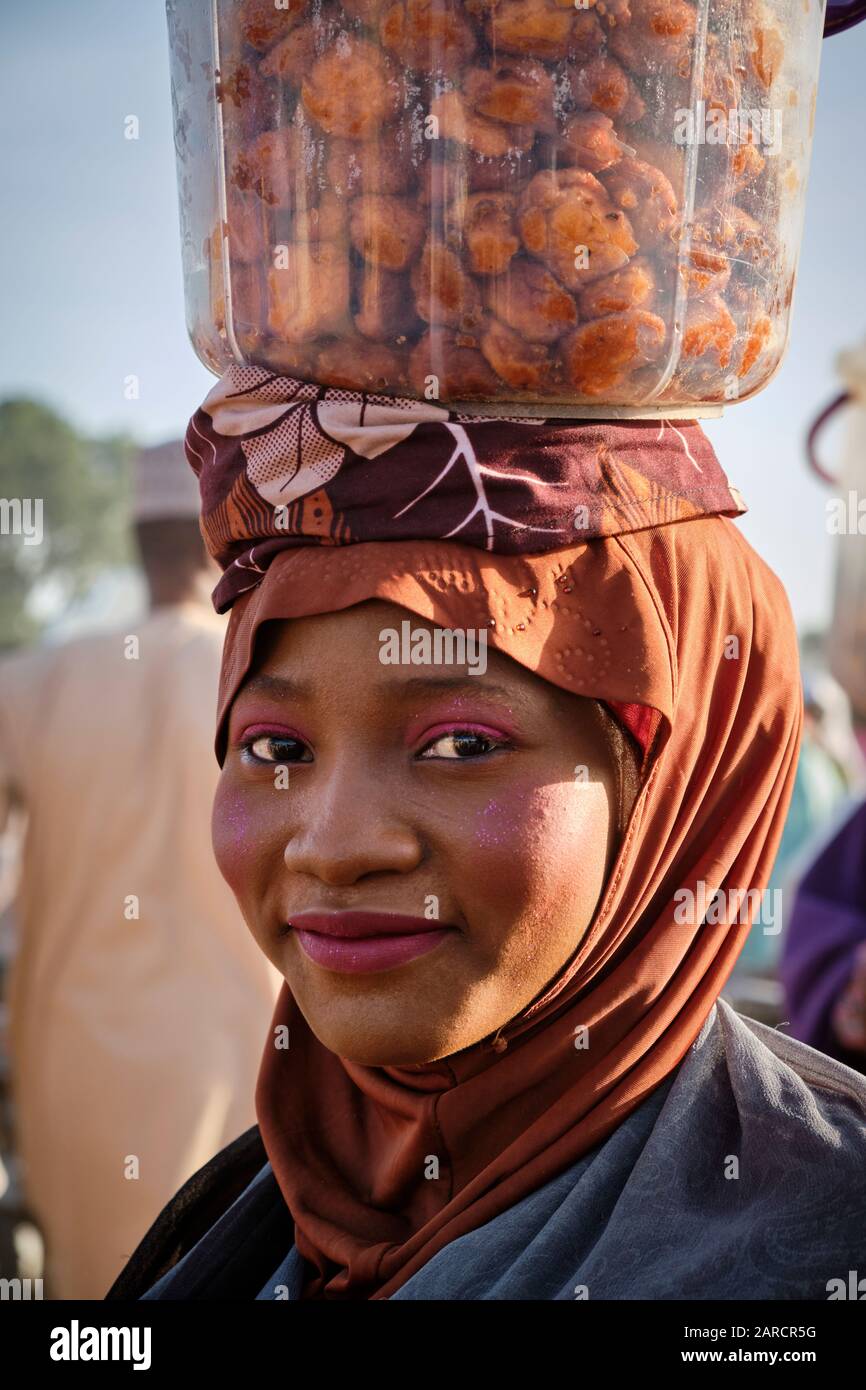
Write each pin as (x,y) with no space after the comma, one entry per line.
(601,355)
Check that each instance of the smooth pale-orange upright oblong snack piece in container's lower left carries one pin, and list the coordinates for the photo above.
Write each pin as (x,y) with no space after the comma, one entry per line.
(309,298)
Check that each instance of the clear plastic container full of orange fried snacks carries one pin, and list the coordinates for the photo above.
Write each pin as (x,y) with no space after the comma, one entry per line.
(498,202)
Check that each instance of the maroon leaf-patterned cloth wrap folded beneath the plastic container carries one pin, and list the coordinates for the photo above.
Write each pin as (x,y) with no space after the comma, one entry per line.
(286,465)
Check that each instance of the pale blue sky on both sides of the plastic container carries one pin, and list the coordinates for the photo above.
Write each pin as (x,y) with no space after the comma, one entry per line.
(92,270)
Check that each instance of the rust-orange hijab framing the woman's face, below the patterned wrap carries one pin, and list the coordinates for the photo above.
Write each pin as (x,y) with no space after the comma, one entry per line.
(683,619)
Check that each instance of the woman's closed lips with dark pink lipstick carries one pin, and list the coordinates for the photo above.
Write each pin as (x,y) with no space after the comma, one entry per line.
(366,942)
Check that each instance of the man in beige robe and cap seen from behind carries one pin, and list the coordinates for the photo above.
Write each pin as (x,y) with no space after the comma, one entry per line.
(138,1001)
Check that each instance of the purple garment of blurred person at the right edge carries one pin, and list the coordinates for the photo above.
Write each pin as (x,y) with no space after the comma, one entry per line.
(826,928)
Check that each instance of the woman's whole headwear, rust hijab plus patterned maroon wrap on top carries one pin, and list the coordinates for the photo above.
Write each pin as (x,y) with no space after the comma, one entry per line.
(662,611)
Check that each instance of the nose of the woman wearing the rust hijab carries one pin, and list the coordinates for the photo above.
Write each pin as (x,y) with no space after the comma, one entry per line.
(352,826)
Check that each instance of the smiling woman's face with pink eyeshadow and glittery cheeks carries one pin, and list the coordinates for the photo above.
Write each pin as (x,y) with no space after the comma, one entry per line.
(482,806)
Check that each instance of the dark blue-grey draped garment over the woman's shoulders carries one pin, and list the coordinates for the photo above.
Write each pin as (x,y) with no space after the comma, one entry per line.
(742,1177)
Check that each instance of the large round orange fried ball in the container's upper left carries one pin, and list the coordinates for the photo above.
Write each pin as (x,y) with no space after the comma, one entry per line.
(352,91)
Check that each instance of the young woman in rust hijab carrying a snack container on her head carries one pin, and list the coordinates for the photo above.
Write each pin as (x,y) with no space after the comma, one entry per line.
(505,900)
